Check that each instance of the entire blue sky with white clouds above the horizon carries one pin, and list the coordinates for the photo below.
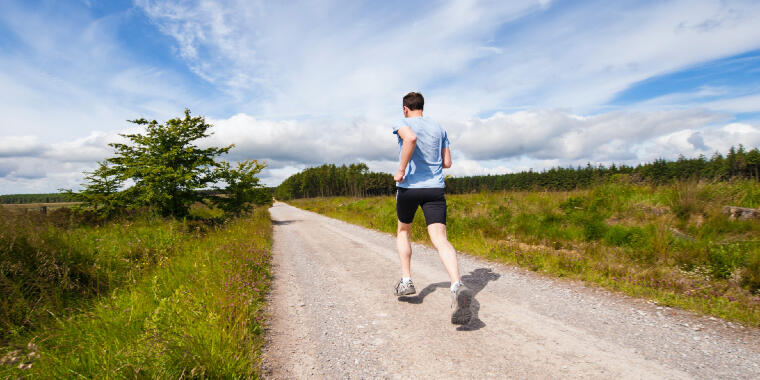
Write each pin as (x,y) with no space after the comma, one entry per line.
(518,84)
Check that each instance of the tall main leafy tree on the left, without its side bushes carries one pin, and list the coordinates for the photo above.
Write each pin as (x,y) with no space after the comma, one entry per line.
(165,164)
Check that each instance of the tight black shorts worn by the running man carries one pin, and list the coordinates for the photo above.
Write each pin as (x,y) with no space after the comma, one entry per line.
(432,200)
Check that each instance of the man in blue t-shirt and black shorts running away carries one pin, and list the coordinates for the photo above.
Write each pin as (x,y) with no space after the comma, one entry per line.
(423,154)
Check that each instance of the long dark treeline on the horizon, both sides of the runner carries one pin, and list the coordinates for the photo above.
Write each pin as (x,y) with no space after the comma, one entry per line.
(357,180)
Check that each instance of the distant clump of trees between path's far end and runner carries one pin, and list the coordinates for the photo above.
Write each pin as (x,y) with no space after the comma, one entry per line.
(329,180)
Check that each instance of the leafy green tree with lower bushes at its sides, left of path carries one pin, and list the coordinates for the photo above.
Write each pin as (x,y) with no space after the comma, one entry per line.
(168,172)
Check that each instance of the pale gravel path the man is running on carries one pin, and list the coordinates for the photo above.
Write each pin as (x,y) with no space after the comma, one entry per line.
(334,316)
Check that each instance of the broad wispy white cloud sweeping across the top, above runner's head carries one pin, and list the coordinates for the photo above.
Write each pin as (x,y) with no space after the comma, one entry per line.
(333,59)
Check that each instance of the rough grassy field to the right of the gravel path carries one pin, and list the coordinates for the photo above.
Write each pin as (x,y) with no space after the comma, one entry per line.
(667,243)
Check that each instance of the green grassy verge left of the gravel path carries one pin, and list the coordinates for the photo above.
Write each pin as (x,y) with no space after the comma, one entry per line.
(171,301)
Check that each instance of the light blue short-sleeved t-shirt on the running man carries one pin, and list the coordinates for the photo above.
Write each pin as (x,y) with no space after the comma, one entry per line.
(425,169)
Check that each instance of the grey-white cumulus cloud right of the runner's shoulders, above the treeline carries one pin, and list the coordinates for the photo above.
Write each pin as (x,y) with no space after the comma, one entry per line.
(556,134)
